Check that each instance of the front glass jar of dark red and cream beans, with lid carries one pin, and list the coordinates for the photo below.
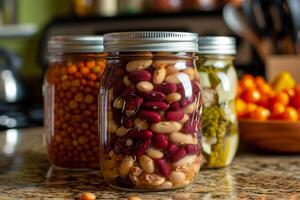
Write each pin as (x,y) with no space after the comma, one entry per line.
(150,117)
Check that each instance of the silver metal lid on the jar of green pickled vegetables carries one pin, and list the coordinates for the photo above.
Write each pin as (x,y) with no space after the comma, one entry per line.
(217,45)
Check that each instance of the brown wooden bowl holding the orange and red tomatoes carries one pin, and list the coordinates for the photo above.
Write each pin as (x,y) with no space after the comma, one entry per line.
(272,135)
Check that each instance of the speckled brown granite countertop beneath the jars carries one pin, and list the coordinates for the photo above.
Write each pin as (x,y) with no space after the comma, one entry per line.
(25,173)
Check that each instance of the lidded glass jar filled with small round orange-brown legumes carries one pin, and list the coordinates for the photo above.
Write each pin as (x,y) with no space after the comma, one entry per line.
(71,89)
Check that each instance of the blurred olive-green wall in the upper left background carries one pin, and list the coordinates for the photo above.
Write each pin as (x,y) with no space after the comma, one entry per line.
(39,12)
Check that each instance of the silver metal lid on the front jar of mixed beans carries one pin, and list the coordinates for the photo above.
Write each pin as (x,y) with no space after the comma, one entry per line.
(151,41)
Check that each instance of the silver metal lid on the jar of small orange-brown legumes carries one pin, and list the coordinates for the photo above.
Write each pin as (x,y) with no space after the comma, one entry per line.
(75,44)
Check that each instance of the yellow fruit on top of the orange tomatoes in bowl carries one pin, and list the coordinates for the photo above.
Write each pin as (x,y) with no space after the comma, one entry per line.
(282,81)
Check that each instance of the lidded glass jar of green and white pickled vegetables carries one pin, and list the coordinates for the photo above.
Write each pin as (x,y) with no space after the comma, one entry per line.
(219,84)
